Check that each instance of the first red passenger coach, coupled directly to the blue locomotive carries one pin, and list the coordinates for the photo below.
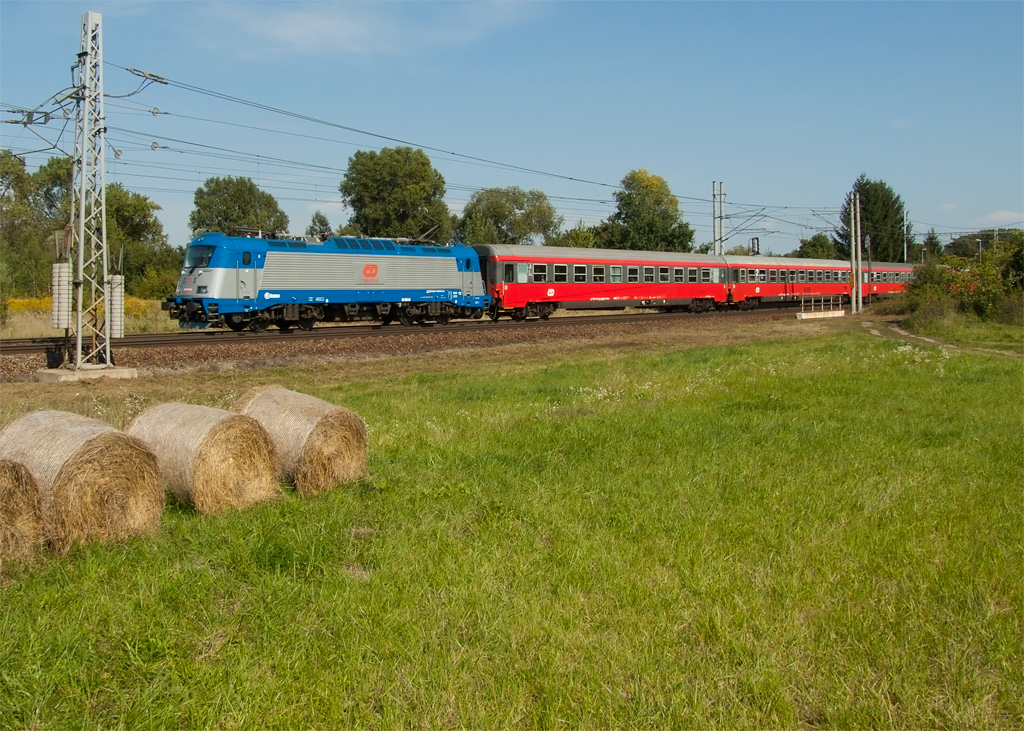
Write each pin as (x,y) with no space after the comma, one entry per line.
(534,282)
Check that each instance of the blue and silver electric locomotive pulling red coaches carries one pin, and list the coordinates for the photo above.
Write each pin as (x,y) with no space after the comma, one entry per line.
(242,282)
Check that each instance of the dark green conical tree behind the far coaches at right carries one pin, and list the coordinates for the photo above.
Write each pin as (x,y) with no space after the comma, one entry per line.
(882,223)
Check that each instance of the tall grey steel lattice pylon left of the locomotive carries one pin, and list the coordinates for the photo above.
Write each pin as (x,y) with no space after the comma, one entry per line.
(89,207)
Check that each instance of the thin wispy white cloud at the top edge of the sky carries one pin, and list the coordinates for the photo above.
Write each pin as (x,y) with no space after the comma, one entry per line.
(400,28)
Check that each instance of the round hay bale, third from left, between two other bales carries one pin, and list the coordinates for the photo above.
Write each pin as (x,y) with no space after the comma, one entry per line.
(210,459)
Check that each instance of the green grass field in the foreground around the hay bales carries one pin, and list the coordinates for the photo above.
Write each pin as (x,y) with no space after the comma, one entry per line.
(823,534)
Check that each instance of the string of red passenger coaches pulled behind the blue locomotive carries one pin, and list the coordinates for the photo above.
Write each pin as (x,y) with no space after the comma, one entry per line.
(534,282)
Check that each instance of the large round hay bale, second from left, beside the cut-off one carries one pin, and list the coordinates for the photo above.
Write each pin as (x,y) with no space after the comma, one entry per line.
(96,483)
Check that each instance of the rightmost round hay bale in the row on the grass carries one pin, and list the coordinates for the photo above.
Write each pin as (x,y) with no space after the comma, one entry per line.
(319,445)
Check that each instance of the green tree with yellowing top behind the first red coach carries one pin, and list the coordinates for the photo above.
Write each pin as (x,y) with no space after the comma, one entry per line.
(648,218)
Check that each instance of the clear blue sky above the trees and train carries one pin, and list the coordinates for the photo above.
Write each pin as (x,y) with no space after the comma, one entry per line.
(786,104)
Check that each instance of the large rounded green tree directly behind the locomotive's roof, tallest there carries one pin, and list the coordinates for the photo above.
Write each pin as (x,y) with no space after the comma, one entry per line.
(397,193)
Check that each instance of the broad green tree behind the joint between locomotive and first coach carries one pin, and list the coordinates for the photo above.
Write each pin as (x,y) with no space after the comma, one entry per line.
(508,216)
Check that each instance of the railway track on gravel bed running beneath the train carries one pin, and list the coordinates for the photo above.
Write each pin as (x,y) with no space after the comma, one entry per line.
(200,338)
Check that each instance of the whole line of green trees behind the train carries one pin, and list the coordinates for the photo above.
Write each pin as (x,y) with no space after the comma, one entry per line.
(397,193)
